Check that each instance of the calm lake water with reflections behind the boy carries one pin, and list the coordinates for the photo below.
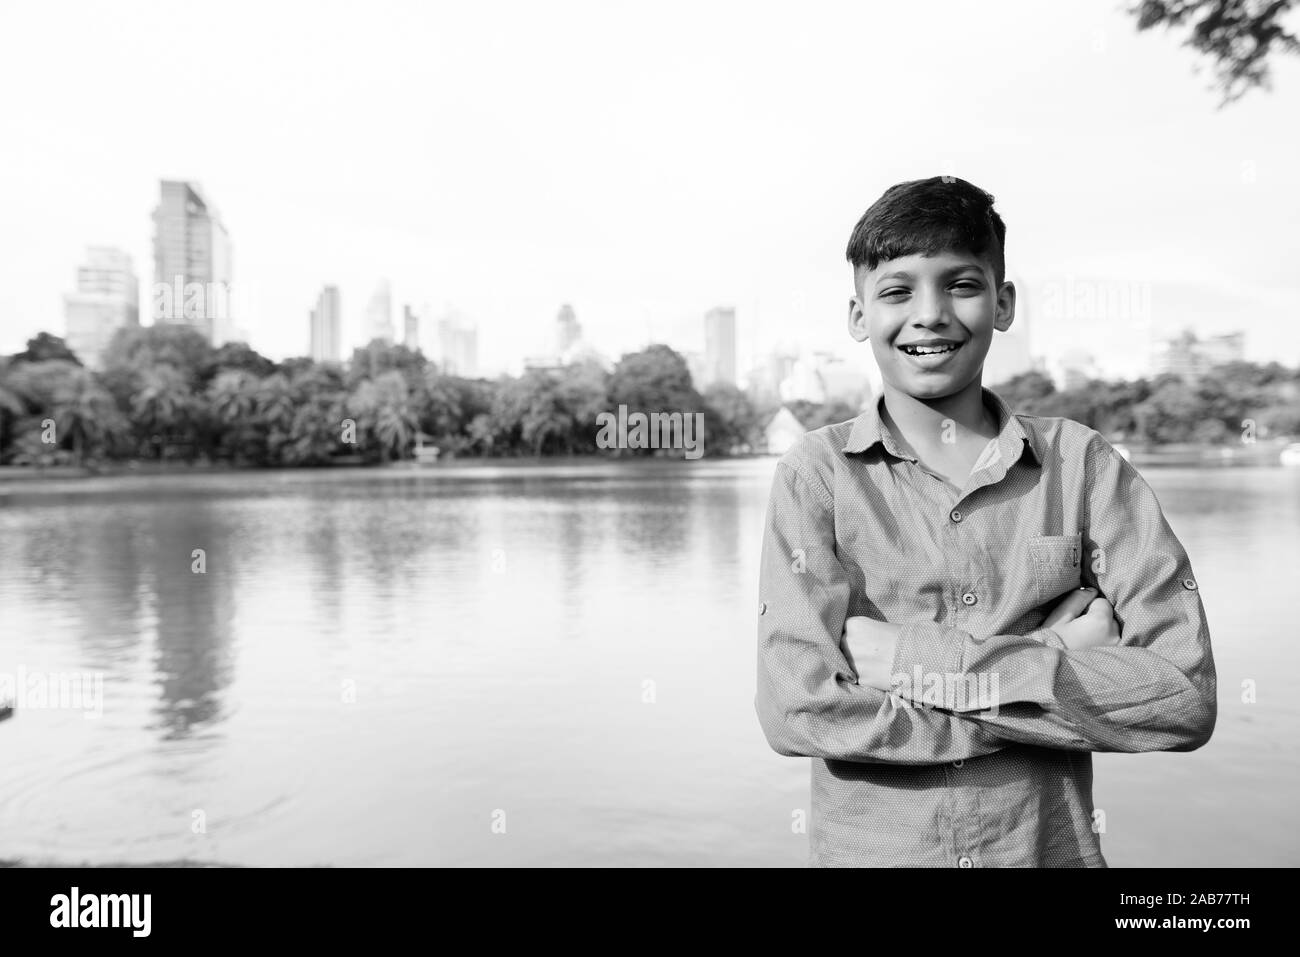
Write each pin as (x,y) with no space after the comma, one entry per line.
(515,666)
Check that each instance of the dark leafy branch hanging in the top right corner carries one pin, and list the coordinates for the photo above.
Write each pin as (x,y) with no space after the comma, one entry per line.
(1237,36)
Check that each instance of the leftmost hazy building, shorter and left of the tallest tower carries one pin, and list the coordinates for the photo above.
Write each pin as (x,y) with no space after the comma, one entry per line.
(107,300)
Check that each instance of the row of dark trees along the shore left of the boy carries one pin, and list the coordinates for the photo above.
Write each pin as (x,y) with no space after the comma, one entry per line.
(163,393)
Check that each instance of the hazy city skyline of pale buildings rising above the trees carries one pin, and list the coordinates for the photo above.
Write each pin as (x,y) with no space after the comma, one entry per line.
(192,250)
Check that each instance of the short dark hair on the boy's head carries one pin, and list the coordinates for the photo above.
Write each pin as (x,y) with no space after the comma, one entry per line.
(929,216)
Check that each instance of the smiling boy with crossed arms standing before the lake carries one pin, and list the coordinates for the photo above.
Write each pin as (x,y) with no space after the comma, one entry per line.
(960,604)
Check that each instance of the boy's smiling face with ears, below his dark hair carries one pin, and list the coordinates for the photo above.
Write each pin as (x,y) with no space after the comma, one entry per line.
(930,319)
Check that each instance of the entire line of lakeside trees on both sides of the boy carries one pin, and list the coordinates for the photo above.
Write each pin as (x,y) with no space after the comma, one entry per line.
(166,395)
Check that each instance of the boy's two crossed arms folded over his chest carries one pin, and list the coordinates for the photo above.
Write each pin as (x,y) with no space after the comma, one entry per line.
(1063,686)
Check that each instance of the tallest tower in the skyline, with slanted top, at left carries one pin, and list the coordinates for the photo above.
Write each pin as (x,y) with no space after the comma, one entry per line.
(192,263)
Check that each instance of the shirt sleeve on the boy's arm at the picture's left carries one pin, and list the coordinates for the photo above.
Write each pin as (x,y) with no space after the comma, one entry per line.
(808,701)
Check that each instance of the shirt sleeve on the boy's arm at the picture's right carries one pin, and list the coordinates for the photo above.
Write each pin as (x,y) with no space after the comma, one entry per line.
(1154,691)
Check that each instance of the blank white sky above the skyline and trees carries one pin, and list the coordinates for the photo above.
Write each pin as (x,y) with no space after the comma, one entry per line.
(642,162)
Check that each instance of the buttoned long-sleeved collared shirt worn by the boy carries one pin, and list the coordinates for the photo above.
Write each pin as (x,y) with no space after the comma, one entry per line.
(981,754)
